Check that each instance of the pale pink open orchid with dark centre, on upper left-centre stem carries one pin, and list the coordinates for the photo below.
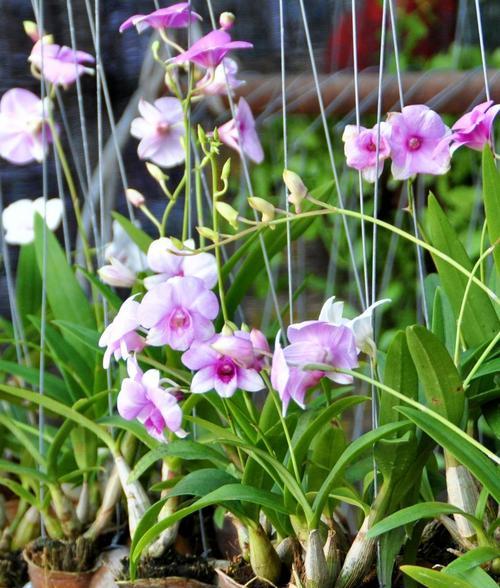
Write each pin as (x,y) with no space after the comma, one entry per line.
(160,129)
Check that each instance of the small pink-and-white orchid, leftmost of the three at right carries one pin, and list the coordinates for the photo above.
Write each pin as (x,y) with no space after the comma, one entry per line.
(360,148)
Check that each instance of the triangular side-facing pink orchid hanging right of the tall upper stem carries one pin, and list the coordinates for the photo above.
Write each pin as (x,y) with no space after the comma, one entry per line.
(239,133)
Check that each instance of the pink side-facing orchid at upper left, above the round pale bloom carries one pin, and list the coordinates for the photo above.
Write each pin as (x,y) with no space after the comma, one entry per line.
(58,64)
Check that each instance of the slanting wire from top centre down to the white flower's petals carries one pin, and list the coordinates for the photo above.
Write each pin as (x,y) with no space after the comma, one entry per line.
(330,150)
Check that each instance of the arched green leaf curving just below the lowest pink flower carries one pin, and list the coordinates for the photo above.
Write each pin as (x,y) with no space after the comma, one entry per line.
(184,449)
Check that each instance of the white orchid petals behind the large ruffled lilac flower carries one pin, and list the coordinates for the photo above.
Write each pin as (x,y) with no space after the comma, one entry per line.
(361,326)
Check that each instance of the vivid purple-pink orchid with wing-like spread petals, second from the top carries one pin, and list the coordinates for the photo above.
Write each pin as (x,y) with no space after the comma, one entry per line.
(210,50)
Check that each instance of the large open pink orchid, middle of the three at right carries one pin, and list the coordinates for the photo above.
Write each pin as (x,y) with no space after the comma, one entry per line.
(417,142)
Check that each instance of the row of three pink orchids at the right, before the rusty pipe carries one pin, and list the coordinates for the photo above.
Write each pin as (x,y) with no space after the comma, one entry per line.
(417,141)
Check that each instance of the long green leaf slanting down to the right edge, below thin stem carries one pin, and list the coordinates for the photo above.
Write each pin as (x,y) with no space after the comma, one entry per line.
(464,451)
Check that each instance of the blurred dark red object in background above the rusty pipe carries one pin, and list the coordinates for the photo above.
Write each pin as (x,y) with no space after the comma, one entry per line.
(438,15)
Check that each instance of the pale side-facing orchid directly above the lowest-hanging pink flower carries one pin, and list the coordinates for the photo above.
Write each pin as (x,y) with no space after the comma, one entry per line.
(120,337)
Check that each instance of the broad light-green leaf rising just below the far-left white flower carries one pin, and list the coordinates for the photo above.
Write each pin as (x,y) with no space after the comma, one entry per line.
(66,298)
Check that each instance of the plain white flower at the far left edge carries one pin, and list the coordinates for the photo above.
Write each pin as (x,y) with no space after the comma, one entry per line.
(18,219)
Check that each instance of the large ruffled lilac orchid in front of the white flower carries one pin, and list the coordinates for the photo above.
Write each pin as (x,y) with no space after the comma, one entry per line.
(312,342)
